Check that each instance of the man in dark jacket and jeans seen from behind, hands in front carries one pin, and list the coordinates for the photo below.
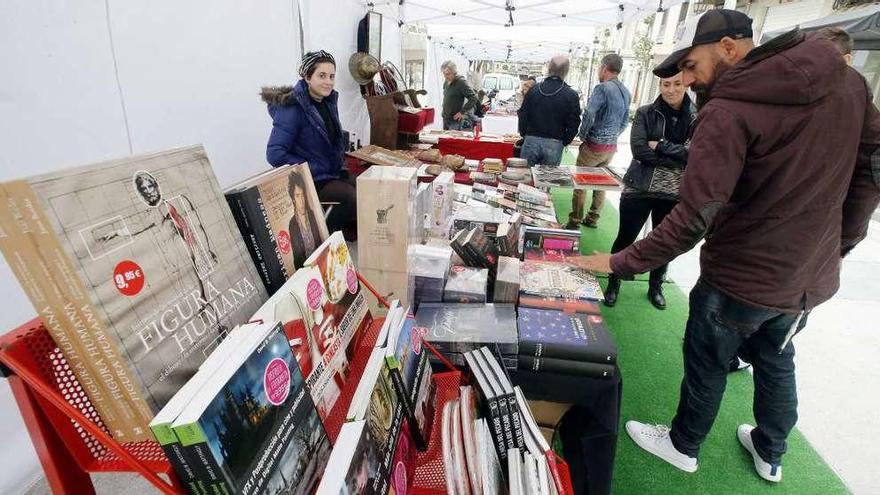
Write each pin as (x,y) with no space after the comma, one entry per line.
(549,116)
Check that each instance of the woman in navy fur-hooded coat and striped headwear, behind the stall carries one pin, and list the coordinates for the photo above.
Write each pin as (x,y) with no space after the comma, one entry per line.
(306,128)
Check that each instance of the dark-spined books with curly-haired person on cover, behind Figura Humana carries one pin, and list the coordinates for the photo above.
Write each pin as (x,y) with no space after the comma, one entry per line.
(279,216)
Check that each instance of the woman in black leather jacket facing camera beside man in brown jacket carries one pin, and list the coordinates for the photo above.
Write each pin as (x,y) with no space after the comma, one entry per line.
(659,140)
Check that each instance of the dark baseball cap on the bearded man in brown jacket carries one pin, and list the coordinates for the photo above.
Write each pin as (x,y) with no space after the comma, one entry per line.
(708,27)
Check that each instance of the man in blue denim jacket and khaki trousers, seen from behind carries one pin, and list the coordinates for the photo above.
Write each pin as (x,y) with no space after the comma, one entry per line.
(605,117)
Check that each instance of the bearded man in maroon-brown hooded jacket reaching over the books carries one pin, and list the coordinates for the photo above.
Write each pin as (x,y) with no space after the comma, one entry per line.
(782,177)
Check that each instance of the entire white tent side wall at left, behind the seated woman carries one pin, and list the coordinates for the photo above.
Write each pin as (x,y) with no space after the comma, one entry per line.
(188,72)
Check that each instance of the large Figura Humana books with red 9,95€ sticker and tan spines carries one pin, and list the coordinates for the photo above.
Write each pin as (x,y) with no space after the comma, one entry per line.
(138,271)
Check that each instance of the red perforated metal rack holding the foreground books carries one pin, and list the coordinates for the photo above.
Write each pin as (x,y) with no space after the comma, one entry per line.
(71,441)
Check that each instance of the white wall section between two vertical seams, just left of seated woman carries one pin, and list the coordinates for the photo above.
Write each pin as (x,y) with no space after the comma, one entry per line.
(191,73)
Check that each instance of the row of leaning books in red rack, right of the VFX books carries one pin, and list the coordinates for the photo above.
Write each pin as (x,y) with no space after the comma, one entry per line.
(389,417)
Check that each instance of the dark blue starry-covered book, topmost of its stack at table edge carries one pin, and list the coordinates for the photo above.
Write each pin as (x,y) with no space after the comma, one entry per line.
(547,333)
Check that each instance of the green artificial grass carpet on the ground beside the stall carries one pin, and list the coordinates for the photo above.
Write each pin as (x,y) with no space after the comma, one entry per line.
(650,361)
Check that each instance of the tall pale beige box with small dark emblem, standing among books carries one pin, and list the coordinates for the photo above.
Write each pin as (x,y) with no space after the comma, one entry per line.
(385,217)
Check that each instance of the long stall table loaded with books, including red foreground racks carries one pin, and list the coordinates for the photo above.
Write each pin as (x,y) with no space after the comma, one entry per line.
(231,330)
